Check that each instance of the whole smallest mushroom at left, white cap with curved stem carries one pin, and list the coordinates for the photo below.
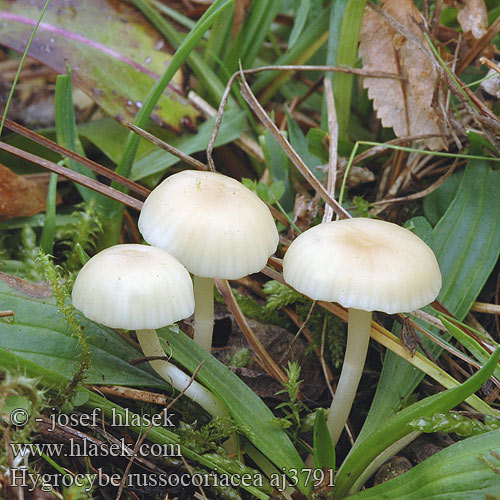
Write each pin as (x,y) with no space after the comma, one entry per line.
(138,287)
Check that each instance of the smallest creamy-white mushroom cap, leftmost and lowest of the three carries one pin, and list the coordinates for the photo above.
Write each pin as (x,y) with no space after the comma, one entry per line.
(134,287)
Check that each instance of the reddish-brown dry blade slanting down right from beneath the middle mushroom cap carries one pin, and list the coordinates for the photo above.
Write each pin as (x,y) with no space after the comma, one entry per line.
(267,362)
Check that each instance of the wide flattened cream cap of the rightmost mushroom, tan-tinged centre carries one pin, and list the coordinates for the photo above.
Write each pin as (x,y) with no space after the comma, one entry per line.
(362,263)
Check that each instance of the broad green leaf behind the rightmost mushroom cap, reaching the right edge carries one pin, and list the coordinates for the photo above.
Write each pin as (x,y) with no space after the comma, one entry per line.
(466,242)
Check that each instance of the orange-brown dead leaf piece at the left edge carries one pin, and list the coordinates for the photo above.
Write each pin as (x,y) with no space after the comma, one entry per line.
(20,197)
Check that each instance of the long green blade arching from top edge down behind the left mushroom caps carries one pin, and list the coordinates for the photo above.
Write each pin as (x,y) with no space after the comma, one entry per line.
(112,223)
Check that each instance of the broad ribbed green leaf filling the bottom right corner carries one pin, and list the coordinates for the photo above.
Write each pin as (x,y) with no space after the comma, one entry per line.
(467,470)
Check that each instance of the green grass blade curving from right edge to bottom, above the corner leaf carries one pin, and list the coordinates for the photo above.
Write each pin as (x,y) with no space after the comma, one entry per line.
(396,427)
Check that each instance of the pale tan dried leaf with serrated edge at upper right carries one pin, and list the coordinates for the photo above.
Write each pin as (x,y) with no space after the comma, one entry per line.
(404,105)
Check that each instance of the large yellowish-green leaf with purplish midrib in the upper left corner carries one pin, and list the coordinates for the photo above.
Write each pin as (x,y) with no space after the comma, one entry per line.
(114,60)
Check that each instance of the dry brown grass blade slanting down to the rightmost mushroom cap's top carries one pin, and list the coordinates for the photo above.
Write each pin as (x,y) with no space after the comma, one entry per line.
(289,151)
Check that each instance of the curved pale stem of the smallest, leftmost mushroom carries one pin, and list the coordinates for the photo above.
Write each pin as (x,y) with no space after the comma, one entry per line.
(150,345)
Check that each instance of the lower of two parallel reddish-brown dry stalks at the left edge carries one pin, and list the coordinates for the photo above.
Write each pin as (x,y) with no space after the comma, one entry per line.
(74,176)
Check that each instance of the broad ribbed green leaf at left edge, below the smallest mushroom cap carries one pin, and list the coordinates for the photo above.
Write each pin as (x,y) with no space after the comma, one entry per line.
(41,335)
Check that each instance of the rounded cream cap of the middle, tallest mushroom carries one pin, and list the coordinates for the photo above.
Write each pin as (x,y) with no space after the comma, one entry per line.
(212,223)
